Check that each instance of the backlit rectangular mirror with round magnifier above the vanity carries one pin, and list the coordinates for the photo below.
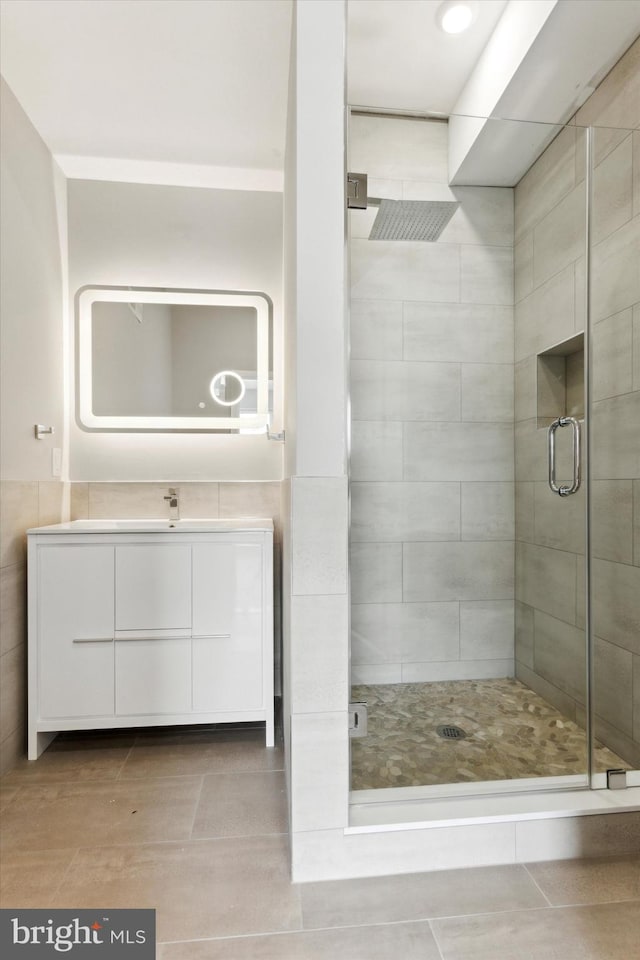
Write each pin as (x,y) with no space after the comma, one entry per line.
(150,359)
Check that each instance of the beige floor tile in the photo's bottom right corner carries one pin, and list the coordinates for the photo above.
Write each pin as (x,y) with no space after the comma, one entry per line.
(604,932)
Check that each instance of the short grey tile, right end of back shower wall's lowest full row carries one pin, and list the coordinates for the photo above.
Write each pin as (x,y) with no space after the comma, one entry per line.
(486,629)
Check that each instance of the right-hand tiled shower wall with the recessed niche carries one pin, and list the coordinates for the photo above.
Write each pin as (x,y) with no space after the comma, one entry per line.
(550,308)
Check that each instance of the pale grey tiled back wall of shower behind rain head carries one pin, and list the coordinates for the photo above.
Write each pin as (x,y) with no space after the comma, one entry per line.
(432,507)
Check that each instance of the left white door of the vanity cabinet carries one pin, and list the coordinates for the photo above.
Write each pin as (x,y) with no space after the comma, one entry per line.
(75,631)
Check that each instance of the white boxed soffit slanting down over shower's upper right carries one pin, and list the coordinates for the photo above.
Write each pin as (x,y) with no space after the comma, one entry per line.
(543,61)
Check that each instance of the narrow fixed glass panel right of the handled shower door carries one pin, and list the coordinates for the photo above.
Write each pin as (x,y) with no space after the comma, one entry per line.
(614,404)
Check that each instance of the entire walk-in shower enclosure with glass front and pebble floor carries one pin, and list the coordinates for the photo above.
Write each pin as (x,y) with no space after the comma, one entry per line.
(495,460)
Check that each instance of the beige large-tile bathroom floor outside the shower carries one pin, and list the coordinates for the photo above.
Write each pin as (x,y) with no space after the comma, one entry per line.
(193,823)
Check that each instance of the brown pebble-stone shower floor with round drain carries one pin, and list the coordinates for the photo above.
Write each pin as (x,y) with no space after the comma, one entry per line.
(511,733)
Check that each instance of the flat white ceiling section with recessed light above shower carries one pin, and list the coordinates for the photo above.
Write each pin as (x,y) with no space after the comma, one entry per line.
(399,59)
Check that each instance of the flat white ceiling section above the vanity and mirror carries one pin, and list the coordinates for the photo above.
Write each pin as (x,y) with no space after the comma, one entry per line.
(184,83)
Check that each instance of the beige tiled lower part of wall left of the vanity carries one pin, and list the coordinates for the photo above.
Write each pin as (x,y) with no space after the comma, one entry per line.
(23,504)
